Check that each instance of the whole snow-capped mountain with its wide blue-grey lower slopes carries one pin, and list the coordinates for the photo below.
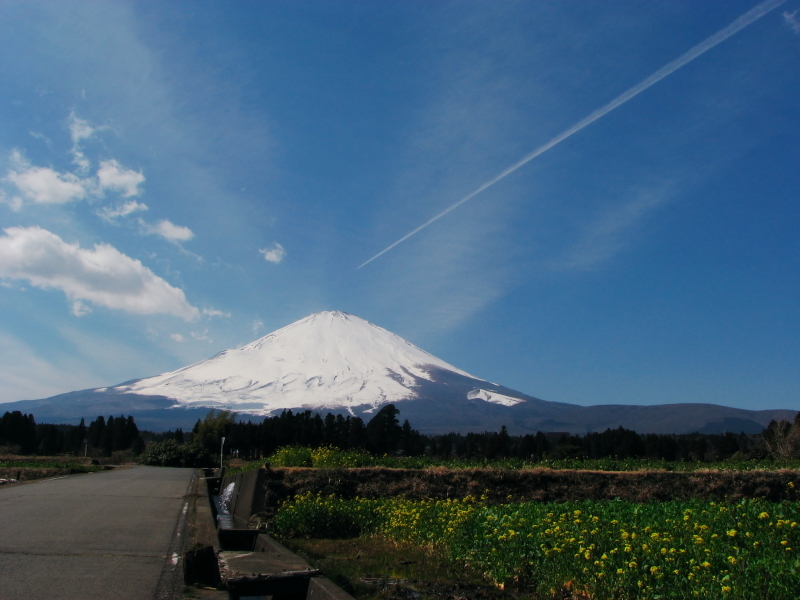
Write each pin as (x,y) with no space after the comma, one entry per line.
(340,363)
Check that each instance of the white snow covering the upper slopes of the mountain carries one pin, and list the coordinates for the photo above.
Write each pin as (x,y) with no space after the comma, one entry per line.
(326,360)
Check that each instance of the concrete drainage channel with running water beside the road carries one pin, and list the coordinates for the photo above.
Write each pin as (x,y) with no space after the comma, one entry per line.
(247,562)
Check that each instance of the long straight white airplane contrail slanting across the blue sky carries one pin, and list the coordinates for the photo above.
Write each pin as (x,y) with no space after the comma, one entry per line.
(704,46)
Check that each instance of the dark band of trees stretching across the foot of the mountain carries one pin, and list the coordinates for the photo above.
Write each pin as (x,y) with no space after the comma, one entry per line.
(383,434)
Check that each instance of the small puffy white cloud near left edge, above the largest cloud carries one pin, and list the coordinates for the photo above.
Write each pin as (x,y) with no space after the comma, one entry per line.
(42,184)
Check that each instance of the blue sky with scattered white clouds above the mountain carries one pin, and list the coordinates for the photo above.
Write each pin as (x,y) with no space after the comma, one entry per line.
(181,178)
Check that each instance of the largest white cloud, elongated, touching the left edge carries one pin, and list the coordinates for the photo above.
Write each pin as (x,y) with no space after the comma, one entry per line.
(103,276)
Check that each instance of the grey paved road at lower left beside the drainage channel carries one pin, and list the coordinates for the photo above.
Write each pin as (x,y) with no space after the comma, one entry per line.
(103,535)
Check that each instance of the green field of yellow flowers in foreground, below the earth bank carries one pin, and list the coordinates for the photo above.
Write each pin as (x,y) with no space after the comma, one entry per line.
(603,549)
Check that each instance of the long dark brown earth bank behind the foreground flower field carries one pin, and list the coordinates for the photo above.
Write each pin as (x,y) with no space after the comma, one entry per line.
(542,485)
